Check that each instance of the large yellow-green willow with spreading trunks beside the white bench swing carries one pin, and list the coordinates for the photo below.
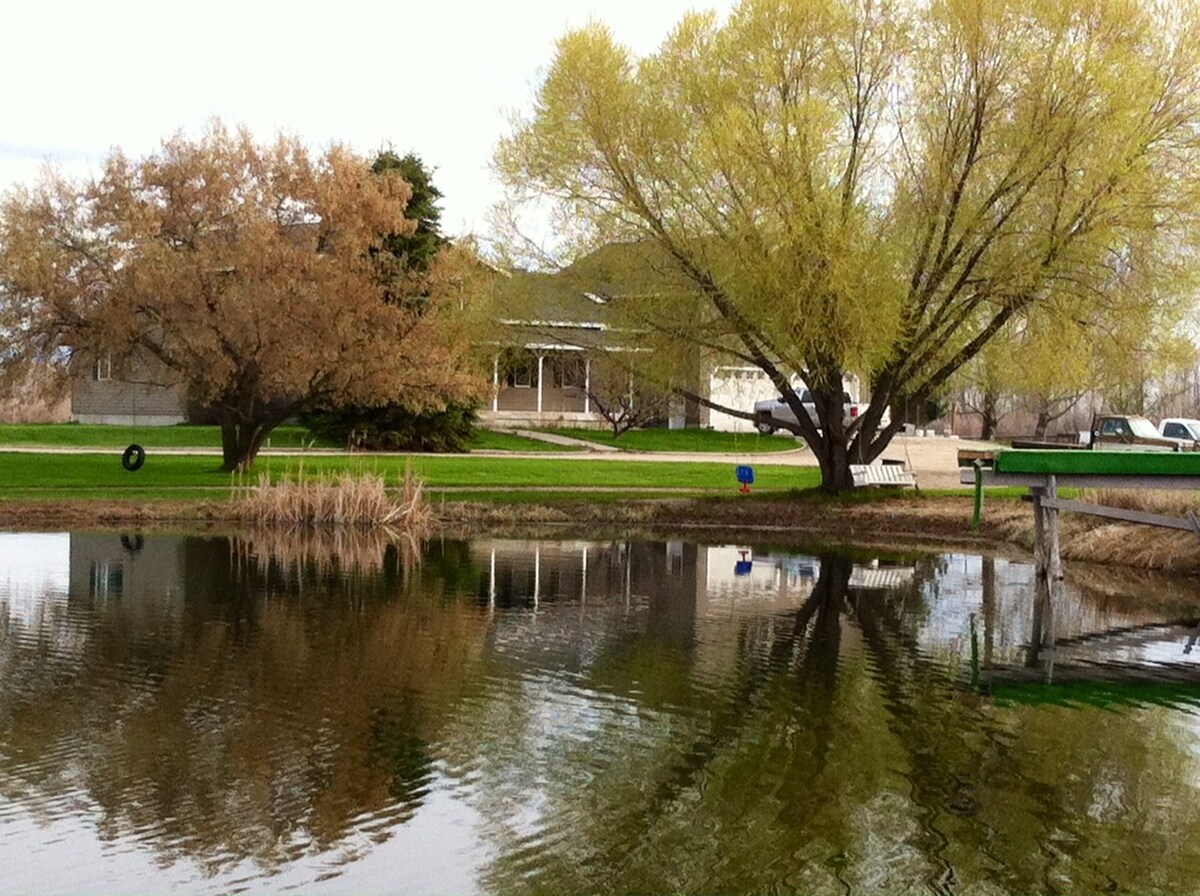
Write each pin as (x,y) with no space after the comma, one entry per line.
(826,188)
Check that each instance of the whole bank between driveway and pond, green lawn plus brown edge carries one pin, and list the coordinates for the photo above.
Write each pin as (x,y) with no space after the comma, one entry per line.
(569,495)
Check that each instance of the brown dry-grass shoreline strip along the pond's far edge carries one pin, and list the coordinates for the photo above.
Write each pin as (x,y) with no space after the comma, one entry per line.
(902,524)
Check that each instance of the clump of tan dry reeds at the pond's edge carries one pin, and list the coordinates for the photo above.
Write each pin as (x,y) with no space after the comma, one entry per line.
(345,501)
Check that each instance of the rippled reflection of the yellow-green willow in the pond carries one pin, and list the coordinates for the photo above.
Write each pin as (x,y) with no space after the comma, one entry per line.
(849,760)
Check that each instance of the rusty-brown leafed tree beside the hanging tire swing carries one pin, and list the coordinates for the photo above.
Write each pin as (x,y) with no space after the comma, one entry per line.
(245,273)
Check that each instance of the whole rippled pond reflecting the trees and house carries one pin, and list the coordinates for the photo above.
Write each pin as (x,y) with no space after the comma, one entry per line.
(350,715)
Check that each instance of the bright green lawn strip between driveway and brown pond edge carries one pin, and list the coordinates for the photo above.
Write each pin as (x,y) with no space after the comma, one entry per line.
(100,476)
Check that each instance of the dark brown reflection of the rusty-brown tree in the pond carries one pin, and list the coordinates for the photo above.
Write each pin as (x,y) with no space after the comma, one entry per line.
(257,718)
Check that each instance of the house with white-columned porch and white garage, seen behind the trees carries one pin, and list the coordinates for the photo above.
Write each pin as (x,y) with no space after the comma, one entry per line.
(554,357)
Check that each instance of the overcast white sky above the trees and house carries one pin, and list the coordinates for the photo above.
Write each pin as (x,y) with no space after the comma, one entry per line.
(436,77)
